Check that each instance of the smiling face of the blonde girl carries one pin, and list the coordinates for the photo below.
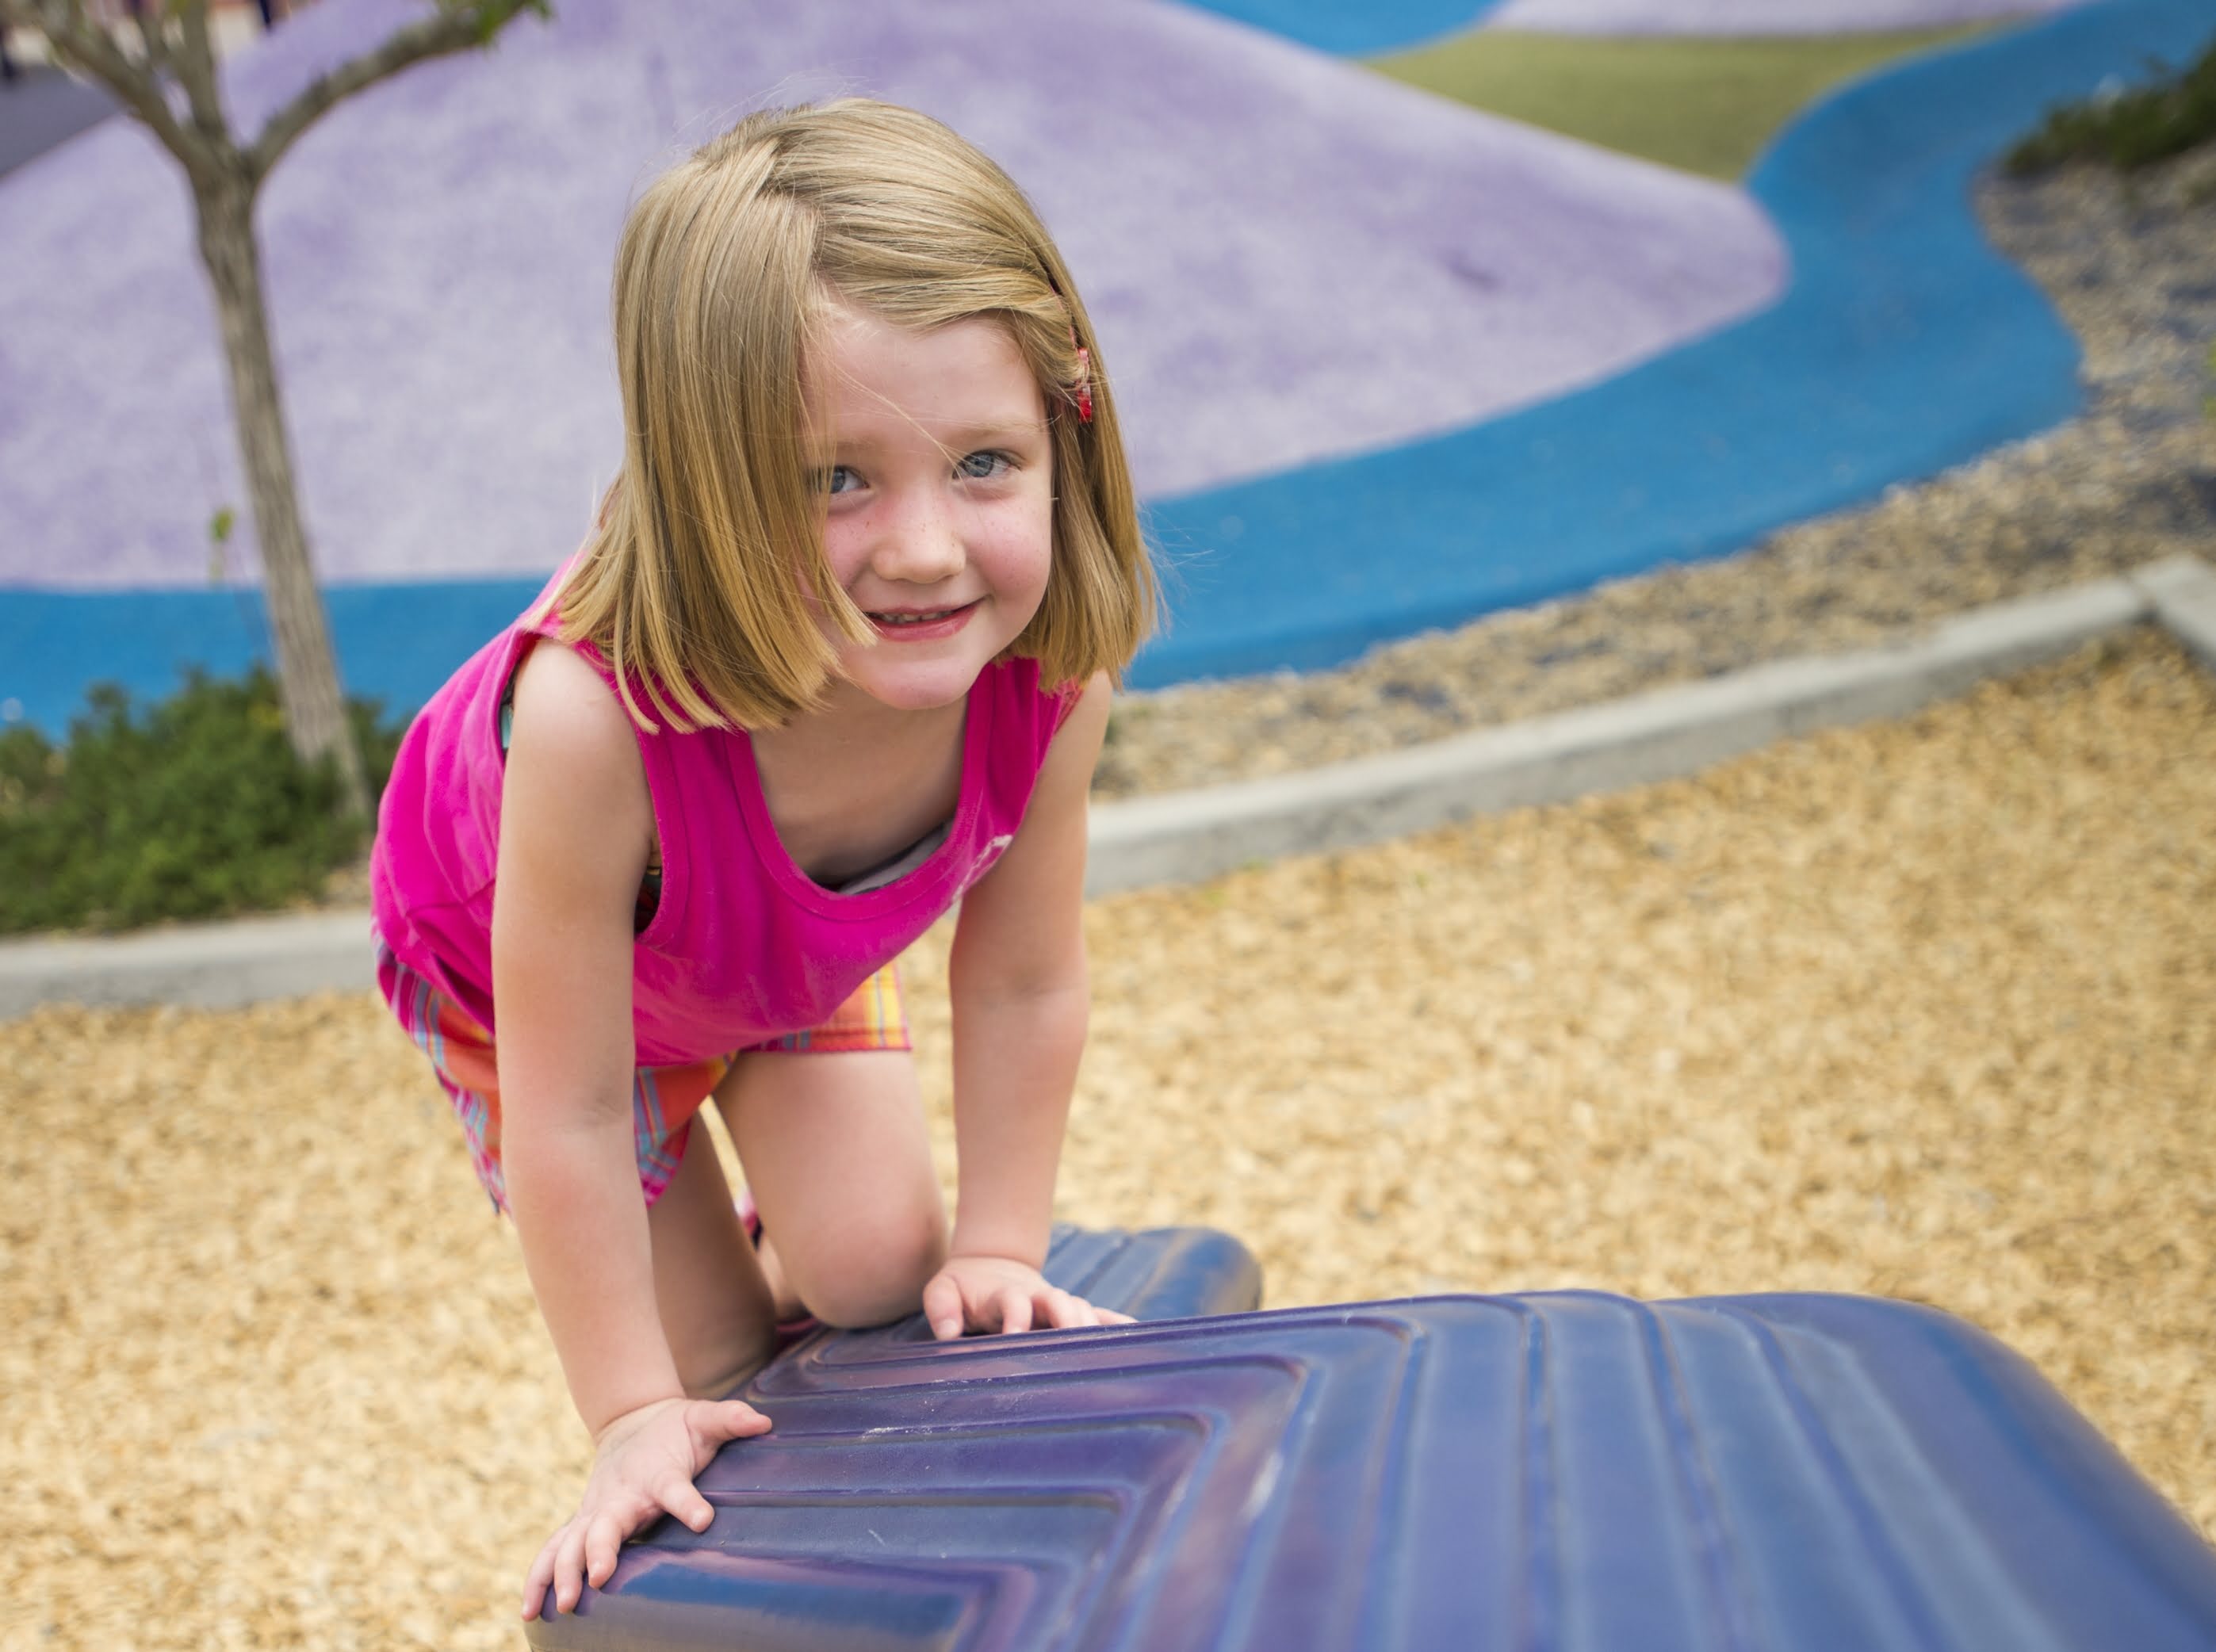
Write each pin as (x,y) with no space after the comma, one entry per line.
(938,482)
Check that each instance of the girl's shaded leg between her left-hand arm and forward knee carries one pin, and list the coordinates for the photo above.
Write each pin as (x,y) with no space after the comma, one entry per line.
(708,1286)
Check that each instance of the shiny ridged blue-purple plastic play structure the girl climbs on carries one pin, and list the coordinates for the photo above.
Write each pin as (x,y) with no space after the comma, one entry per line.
(1539,1474)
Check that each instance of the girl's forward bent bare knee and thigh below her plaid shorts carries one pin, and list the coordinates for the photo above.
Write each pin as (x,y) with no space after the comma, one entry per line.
(841,1170)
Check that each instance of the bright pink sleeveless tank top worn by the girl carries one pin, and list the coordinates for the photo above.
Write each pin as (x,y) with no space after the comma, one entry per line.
(743,947)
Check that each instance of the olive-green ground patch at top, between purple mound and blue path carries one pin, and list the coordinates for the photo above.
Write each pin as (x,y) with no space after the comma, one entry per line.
(1699,105)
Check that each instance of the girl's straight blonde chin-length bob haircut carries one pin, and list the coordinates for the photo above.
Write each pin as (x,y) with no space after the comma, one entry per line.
(699,577)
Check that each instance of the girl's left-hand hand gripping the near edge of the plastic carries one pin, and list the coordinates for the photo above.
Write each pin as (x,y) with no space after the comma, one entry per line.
(644,1467)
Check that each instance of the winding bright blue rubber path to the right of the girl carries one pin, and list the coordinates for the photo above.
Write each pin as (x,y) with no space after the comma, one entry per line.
(1902,347)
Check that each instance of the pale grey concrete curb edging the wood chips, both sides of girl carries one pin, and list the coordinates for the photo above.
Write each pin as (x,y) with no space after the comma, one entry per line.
(1187,838)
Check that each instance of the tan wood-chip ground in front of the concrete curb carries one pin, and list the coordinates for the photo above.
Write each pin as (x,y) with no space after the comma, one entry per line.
(1916,1009)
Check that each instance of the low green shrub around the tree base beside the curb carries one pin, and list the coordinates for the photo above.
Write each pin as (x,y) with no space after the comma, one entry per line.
(194,807)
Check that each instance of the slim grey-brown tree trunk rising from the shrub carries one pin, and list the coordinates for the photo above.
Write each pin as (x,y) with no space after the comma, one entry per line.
(307,670)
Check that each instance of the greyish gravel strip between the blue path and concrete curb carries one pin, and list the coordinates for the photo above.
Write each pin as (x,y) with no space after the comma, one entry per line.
(2131,267)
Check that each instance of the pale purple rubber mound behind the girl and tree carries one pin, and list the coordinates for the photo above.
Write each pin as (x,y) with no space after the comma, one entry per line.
(1286,256)
